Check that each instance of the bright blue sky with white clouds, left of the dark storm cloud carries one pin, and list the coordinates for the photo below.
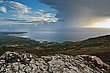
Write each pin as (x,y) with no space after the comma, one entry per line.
(26,12)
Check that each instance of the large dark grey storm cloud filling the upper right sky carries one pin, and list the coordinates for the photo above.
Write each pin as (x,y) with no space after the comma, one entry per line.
(78,10)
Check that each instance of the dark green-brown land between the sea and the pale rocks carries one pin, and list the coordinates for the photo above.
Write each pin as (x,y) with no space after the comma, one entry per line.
(99,46)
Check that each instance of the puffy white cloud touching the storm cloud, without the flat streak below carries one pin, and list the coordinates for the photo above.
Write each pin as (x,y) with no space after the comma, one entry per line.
(39,16)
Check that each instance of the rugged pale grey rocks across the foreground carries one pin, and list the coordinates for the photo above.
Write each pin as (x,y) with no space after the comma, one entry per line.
(13,62)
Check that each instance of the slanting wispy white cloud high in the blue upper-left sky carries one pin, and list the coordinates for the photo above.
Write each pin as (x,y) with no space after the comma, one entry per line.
(20,8)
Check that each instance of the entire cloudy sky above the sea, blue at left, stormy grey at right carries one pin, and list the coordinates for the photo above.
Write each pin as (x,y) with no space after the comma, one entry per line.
(72,13)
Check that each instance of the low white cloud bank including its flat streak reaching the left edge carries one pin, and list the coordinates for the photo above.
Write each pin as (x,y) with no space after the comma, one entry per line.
(35,17)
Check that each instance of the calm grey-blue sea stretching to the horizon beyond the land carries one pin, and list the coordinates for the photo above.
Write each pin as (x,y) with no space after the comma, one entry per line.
(56,34)
